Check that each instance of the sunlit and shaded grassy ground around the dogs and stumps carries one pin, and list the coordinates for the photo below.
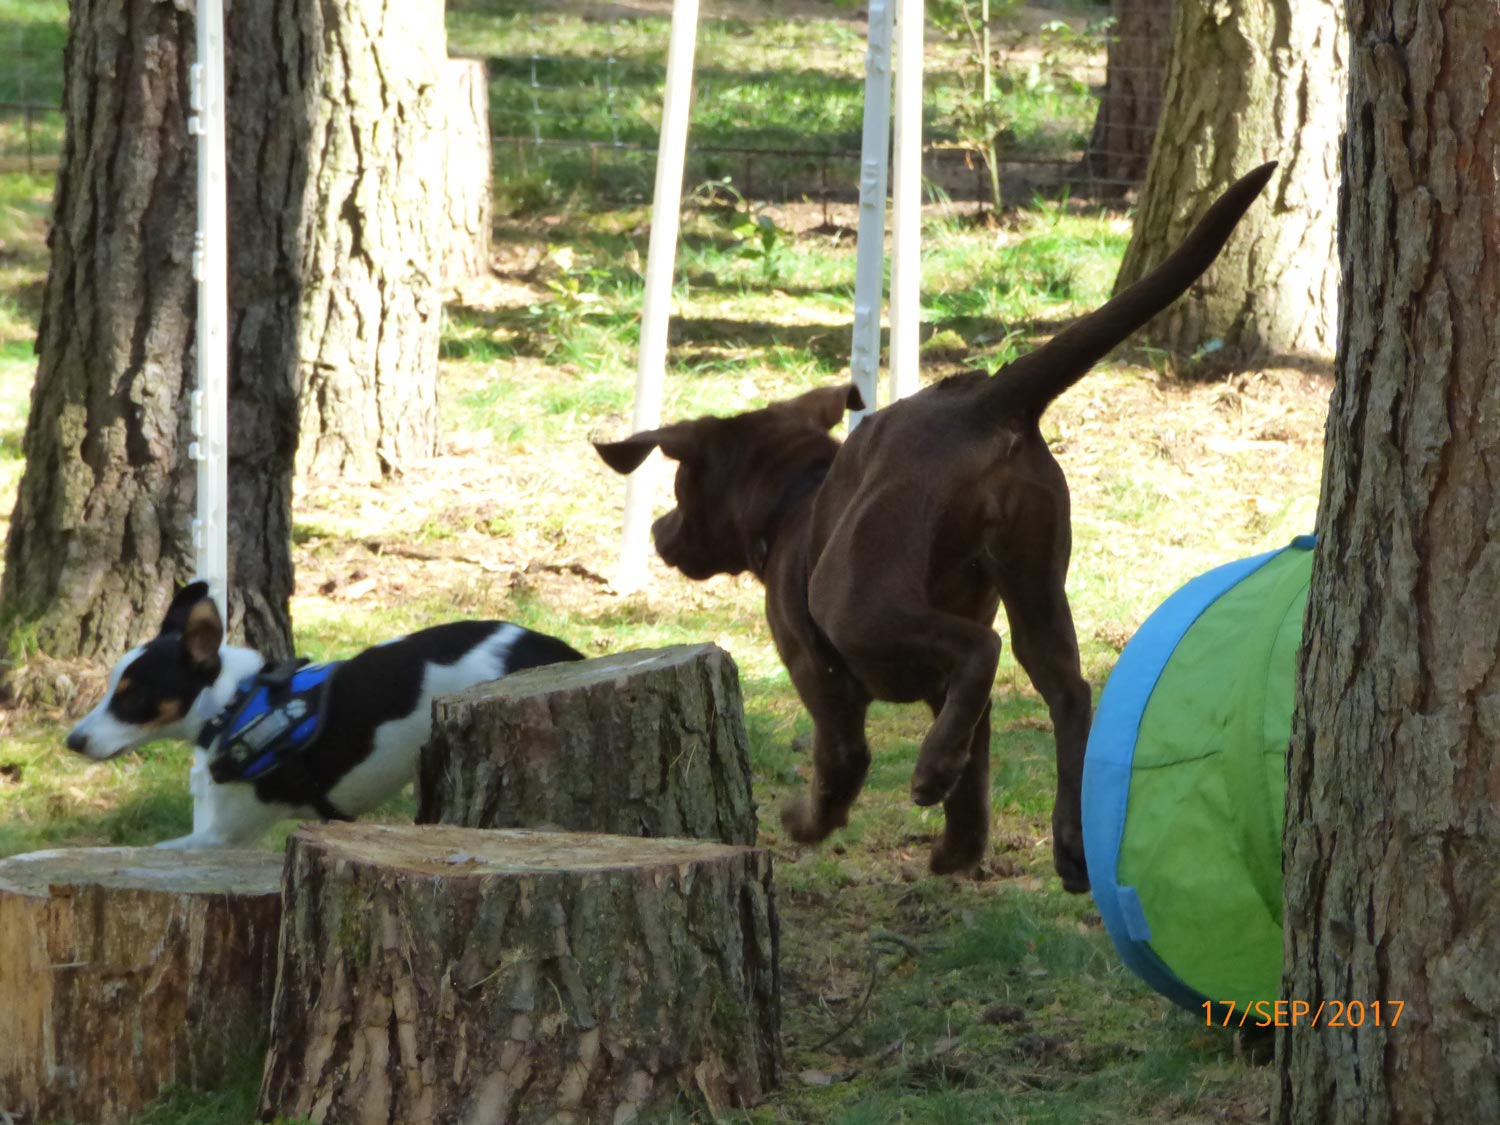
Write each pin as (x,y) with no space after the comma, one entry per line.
(908,998)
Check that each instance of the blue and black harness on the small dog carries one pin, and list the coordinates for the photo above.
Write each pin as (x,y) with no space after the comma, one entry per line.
(271,724)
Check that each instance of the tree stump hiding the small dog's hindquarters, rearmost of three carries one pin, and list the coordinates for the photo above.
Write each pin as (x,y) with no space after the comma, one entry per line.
(647,743)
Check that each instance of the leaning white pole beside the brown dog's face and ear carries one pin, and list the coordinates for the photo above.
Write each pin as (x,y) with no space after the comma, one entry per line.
(656,310)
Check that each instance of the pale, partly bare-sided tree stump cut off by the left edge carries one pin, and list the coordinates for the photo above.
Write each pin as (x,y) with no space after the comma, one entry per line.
(130,970)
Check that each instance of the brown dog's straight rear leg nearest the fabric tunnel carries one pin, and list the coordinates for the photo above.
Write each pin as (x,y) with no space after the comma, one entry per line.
(1048,647)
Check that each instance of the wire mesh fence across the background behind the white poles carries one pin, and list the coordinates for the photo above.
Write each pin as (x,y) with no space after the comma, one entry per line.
(1076,106)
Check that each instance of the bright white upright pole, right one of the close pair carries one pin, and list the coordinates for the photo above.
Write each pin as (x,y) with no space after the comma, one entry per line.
(907,202)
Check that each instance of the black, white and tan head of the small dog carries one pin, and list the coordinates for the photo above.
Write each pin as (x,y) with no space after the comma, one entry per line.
(157,688)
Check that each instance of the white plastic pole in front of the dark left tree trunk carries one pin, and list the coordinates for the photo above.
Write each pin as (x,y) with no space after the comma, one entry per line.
(211,449)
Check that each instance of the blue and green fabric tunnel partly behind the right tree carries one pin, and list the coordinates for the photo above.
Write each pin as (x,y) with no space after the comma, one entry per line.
(1186,779)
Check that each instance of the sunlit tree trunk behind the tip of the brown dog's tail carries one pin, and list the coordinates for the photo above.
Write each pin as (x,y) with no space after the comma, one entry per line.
(1249,82)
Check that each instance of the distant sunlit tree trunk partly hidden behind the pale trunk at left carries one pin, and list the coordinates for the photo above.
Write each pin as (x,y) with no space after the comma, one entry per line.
(467,196)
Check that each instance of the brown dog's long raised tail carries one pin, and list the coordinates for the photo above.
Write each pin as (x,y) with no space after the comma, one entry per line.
(1025,388)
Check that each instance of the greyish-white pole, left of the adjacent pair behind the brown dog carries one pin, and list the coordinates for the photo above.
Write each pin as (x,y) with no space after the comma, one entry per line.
(875,154)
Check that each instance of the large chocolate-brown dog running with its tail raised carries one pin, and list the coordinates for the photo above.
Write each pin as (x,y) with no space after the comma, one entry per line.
(886,562)
